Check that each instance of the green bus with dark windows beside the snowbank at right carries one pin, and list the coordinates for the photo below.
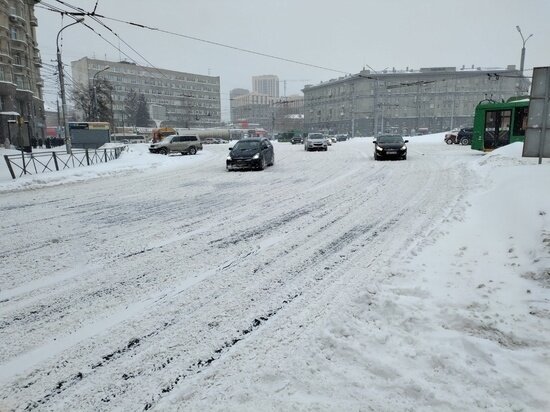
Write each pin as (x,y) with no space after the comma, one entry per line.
(499,124)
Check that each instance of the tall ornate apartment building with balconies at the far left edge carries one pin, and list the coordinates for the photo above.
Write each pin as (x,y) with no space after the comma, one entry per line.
(20,81)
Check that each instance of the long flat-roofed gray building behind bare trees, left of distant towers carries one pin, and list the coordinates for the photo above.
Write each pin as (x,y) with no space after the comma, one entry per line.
(175,99)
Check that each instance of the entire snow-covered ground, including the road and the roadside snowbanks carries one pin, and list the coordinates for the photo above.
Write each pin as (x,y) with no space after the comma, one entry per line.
(329,281)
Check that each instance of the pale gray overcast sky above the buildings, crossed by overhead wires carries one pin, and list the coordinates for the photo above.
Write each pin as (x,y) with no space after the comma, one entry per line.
(342,35)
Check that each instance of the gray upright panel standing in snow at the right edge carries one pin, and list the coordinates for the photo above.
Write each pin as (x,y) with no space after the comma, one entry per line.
(537,135)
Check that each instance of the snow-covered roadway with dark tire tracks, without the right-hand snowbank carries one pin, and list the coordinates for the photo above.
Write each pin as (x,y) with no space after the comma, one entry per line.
(188,287)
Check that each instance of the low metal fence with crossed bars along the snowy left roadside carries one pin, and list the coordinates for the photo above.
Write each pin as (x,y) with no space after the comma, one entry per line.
(42,162)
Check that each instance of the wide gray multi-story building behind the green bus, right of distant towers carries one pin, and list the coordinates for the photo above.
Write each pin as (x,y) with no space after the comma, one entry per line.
(430,99)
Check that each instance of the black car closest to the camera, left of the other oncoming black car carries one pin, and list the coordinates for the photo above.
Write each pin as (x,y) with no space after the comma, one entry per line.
(251,153)
